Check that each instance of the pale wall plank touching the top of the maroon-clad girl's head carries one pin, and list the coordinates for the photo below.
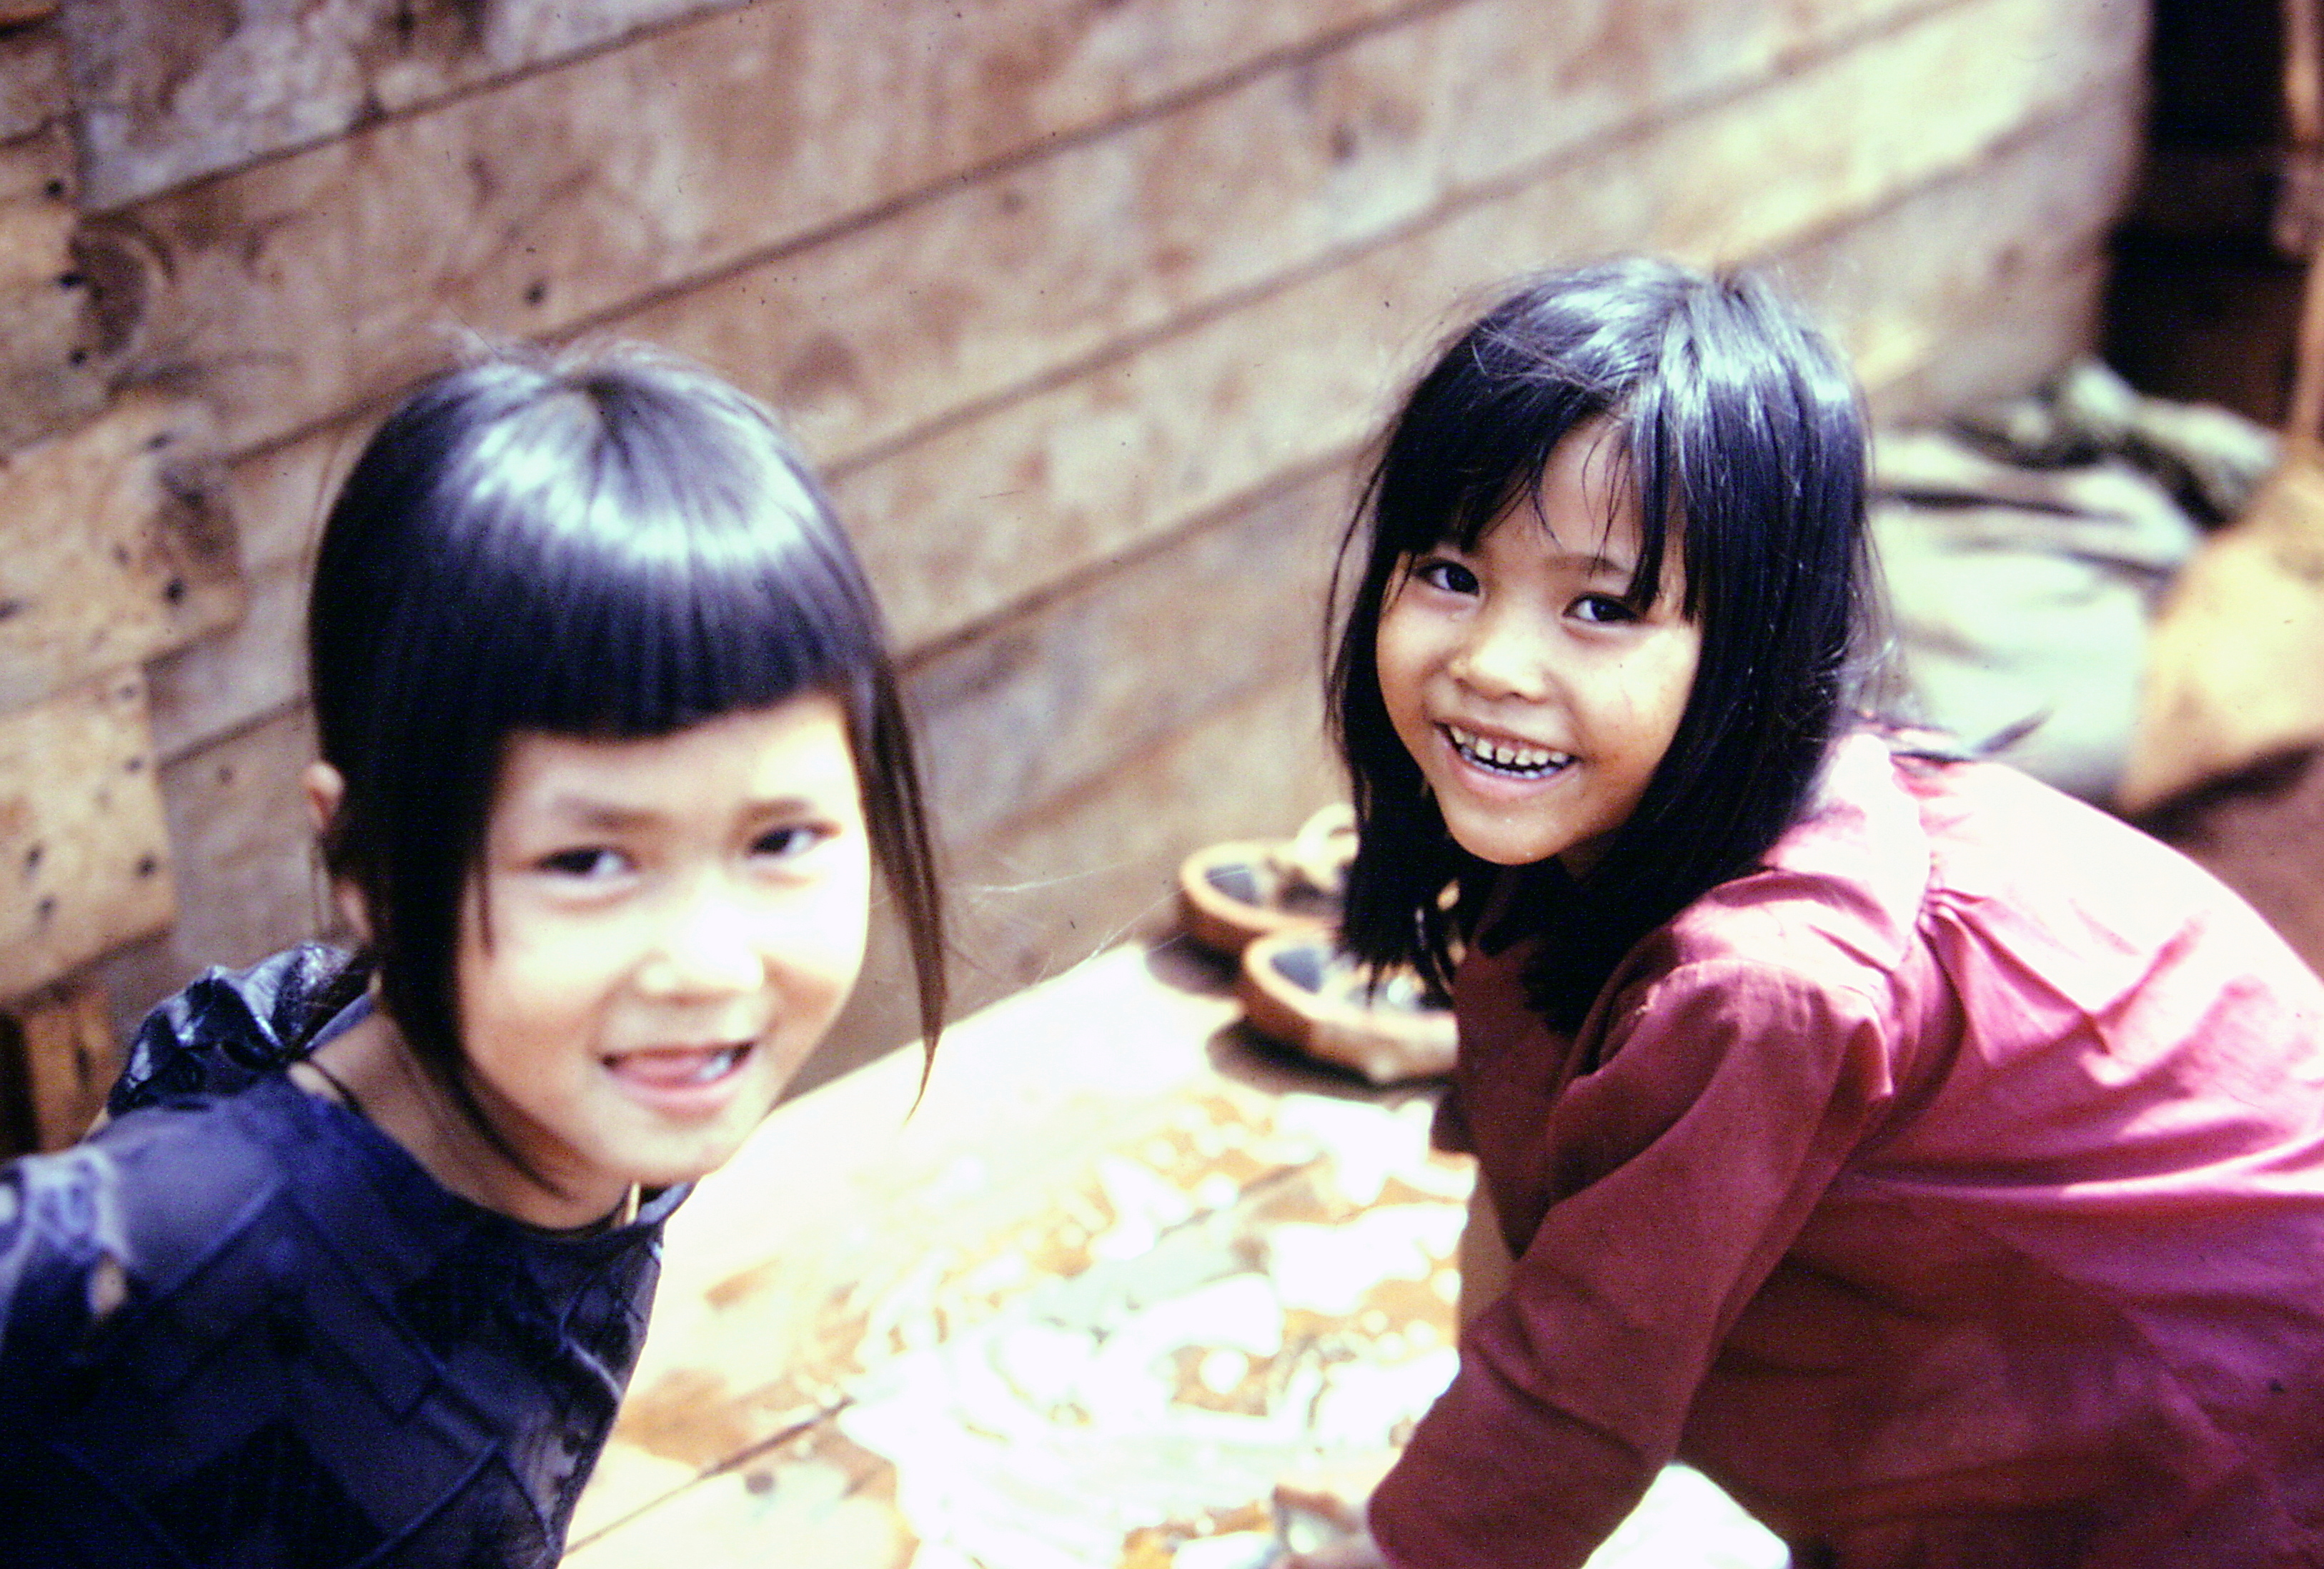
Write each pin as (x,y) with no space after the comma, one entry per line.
(1045,487)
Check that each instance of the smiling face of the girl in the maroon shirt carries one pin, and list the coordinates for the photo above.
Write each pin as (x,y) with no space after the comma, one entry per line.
(1533,692)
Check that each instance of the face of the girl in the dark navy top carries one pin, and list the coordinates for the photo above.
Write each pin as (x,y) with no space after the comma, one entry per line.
(659,936)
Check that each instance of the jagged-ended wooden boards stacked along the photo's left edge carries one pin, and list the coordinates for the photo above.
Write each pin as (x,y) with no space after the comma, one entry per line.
(115,550)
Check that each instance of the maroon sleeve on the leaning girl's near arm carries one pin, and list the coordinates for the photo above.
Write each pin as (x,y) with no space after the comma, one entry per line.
(1677,1177)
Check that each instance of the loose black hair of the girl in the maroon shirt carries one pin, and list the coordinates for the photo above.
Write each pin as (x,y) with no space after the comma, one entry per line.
(1746,447)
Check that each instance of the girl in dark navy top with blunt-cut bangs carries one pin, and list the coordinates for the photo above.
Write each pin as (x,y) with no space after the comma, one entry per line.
(610,747)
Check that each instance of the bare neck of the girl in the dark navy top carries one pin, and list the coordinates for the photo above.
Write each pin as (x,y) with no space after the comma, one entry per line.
(373,1070)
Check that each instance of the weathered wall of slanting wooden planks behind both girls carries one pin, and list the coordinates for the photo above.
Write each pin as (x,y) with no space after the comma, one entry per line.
(1084,308)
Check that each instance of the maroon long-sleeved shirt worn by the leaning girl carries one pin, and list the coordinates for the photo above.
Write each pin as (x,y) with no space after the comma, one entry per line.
(1951,1191)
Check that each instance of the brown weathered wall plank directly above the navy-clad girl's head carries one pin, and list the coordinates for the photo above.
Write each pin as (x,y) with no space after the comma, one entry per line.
(324,278)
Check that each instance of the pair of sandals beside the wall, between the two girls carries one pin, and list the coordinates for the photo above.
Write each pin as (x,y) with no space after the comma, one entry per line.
(1275,908)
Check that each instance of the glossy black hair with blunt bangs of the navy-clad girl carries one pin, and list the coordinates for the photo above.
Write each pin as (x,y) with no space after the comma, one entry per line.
(612,545)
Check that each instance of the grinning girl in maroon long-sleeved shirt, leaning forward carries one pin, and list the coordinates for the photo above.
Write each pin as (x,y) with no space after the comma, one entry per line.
(1925,1156)
